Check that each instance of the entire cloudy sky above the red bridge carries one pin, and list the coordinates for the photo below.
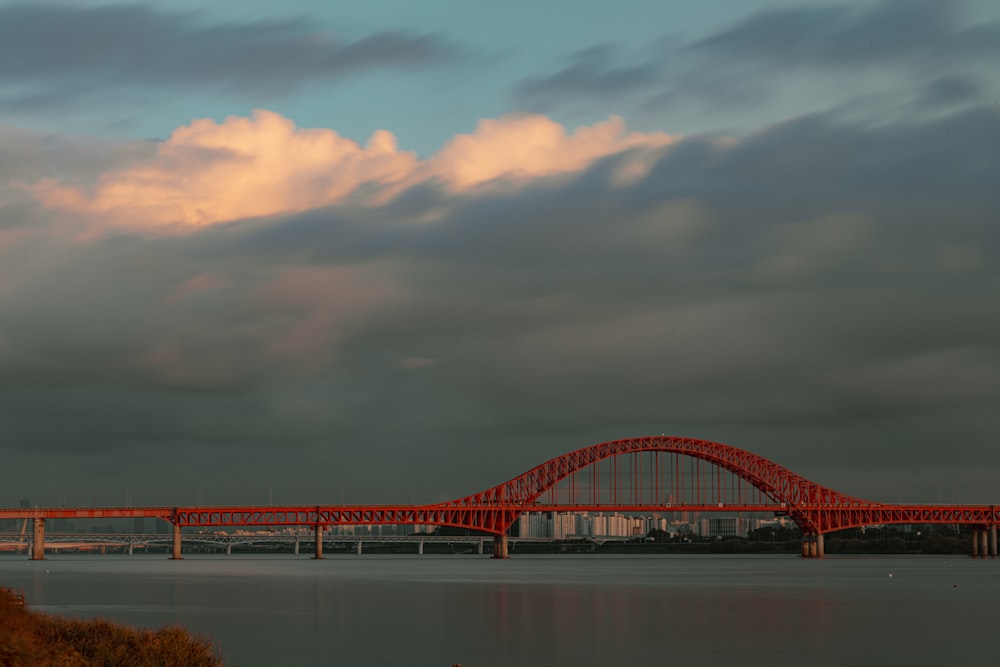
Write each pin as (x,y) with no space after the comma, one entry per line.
(397,251)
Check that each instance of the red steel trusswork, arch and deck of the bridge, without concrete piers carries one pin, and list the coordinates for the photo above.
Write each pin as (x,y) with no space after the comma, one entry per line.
(815,508)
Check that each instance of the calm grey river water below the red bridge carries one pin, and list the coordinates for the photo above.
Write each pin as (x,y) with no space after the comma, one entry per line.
(542,610)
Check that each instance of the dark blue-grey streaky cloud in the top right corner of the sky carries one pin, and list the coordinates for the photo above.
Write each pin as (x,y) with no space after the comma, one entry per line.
(789,60)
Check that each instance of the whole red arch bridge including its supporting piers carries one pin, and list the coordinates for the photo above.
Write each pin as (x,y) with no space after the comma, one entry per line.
(636,475)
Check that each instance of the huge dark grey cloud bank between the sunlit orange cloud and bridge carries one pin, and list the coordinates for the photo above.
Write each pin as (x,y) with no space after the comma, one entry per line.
(822,293)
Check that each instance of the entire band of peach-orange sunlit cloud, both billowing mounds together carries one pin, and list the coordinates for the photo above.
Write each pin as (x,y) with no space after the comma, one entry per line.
(210,172)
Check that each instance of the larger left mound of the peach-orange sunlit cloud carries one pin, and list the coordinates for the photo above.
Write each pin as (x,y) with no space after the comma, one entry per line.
(209,172)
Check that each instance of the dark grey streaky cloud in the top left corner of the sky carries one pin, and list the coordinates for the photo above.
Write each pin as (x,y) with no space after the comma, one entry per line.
(85,53)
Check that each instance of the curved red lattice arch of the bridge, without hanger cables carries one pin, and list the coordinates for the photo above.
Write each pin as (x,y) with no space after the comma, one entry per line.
(791,490)
